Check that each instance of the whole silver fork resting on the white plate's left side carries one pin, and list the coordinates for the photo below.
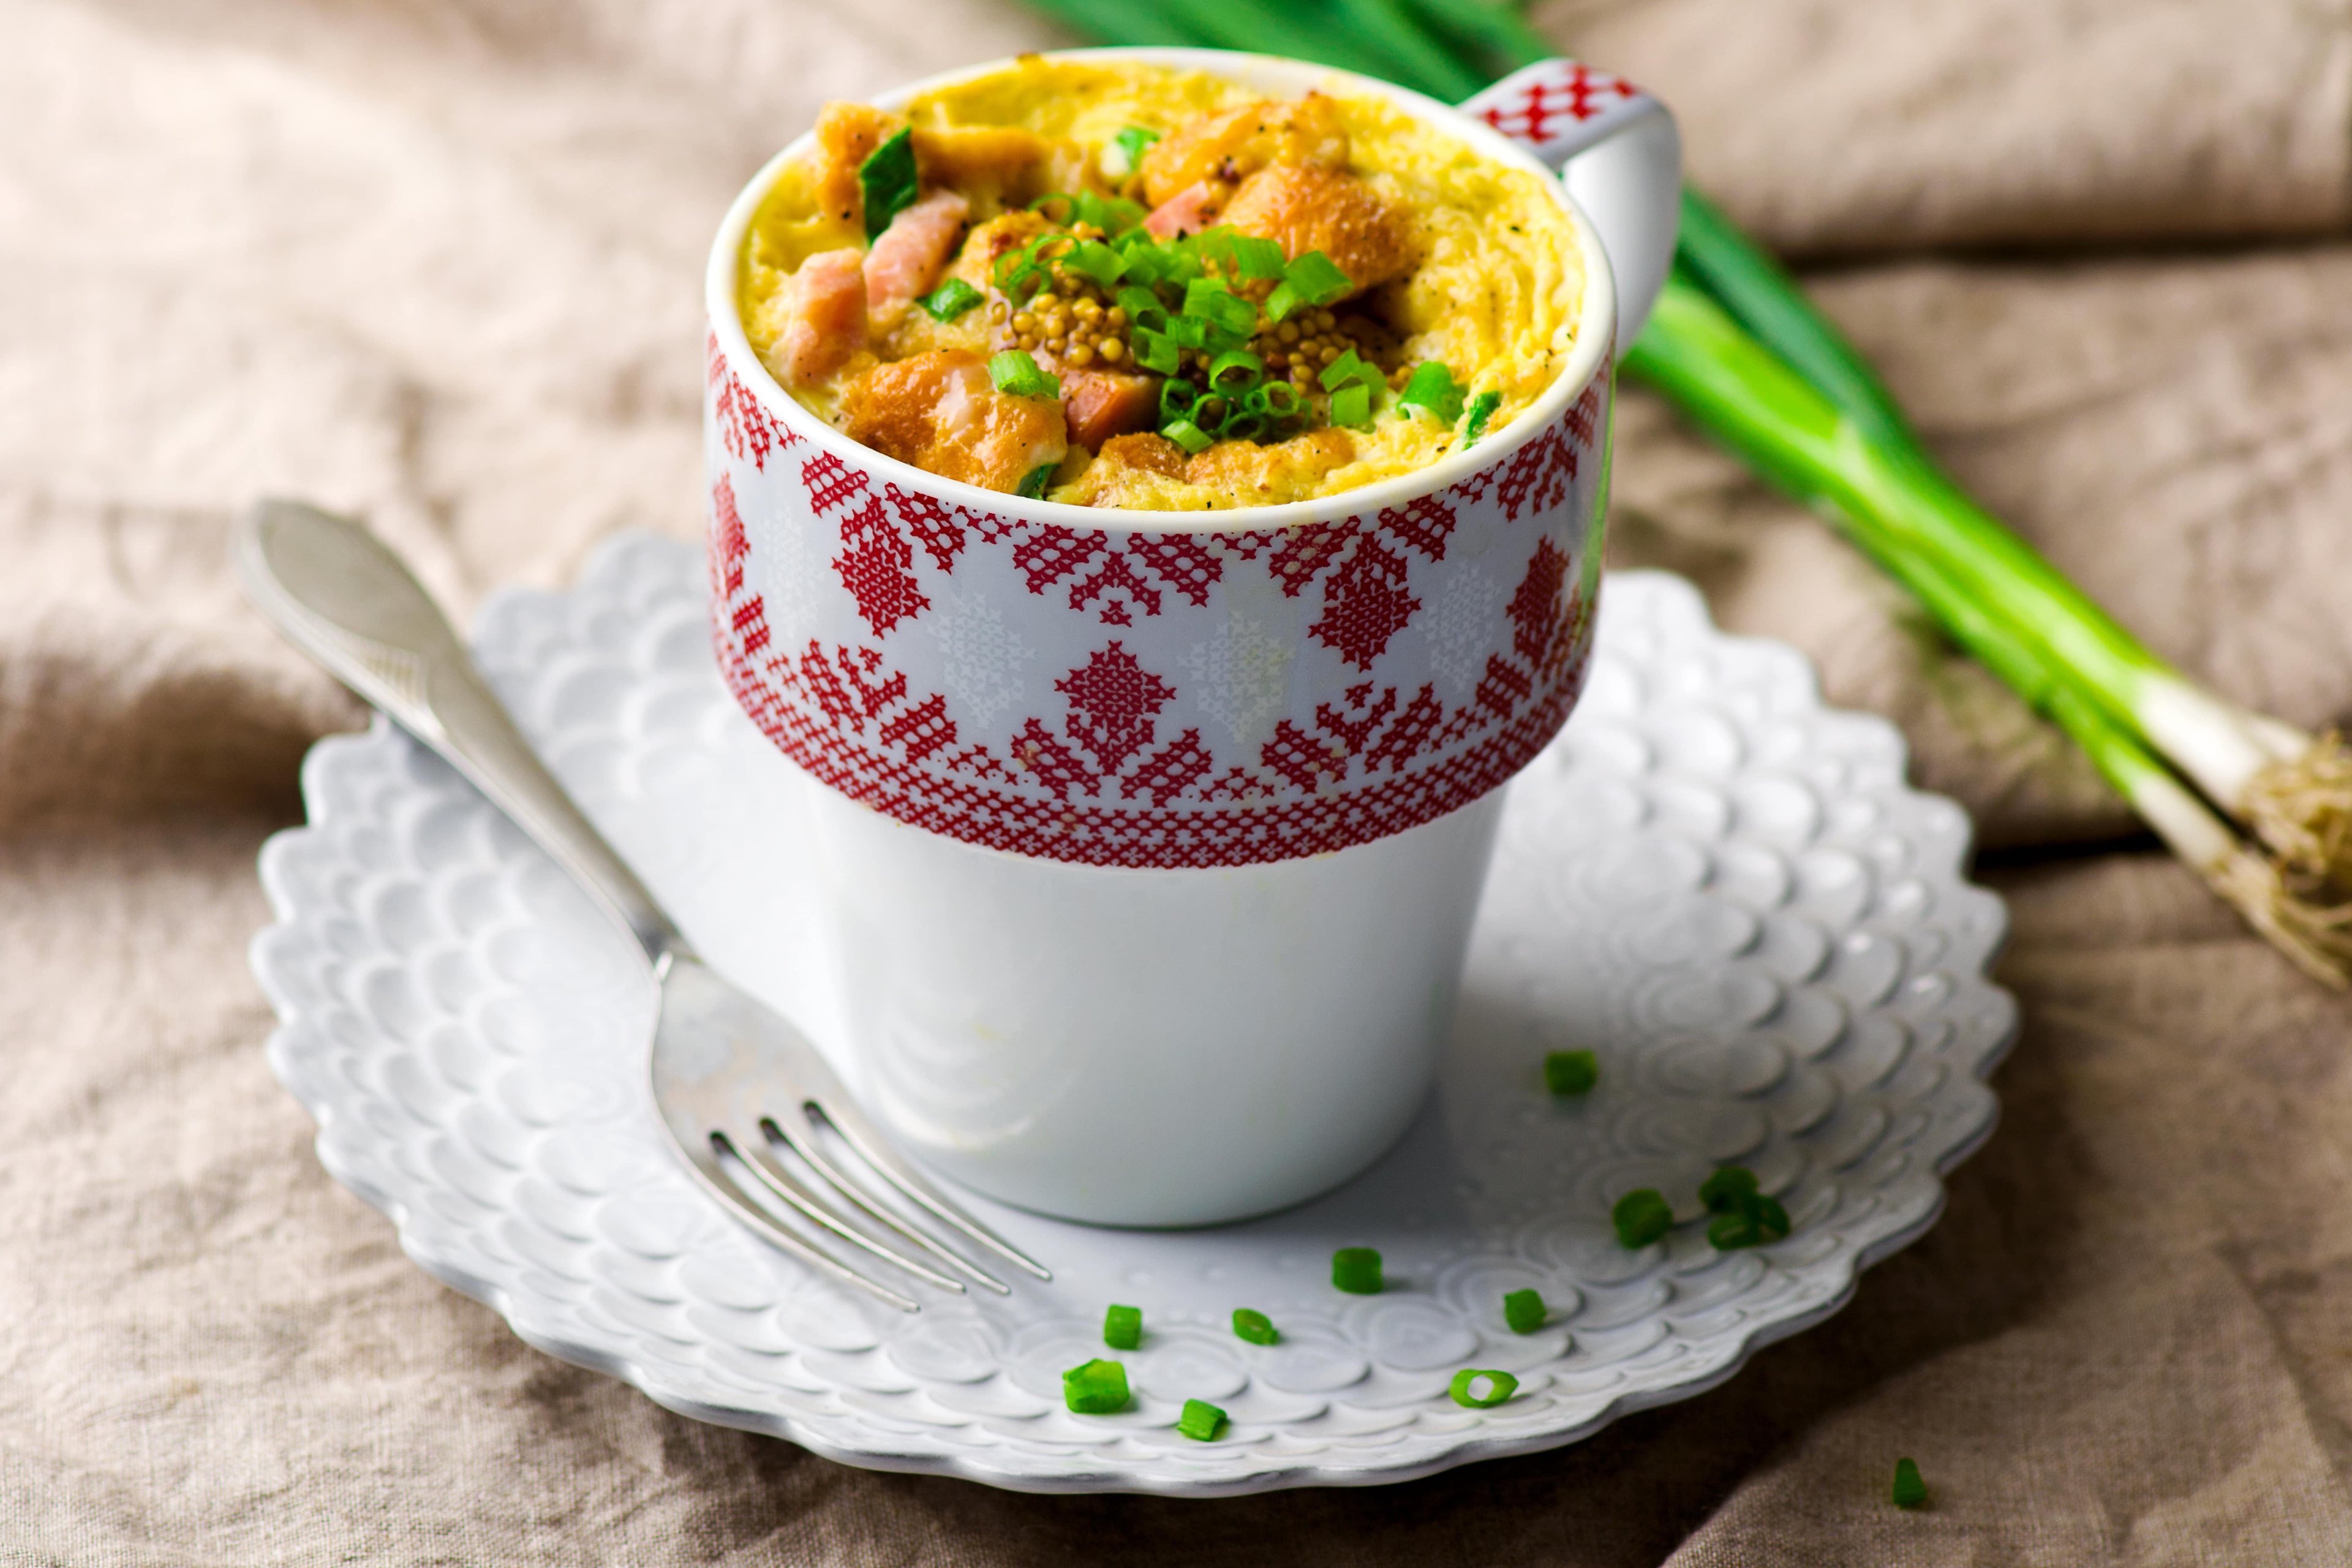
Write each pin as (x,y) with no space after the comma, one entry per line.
(735,1083)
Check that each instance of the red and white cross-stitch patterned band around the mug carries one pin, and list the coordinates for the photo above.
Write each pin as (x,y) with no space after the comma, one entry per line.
(1154,697)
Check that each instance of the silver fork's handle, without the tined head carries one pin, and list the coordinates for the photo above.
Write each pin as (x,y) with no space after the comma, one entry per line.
(352,605)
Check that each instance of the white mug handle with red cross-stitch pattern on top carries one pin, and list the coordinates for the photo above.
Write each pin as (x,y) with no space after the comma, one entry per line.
(1622,156)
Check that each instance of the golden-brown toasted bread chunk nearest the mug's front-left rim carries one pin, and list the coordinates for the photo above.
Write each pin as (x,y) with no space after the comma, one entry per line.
(940,413)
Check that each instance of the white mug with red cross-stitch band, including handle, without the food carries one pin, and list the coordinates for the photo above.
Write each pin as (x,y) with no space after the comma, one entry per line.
(1154,838)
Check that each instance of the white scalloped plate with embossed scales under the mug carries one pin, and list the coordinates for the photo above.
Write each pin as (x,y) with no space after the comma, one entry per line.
(1711,880)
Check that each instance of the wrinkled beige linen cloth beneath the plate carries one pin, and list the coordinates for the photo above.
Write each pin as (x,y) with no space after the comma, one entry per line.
(436,262)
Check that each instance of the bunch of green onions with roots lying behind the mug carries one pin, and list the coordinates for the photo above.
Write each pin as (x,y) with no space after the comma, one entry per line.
(1739,347)
